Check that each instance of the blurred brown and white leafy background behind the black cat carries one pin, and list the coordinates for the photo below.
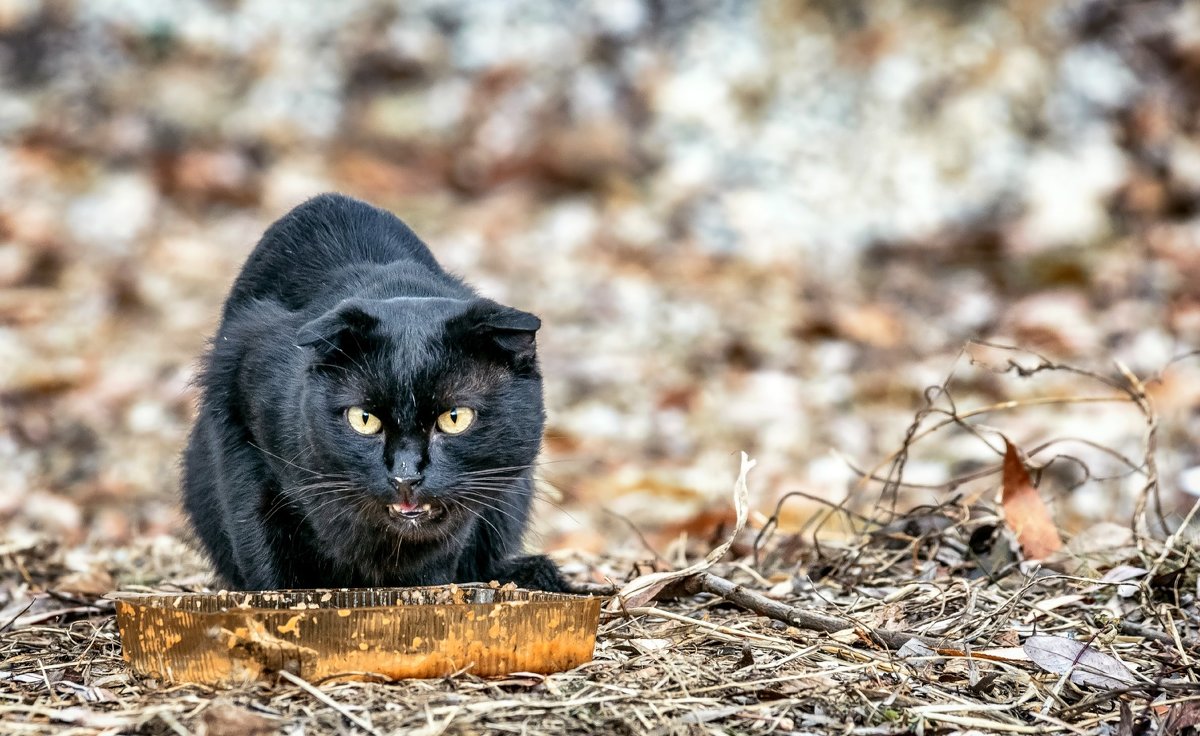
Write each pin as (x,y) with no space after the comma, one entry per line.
(747,226)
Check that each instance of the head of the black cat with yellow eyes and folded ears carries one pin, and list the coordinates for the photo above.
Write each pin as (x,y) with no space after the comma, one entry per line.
(422,412)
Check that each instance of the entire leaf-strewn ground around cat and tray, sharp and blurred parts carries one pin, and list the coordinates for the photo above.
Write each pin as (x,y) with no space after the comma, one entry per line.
(801,230)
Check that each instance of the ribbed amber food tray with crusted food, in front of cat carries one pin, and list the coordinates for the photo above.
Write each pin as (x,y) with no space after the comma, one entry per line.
(236,638)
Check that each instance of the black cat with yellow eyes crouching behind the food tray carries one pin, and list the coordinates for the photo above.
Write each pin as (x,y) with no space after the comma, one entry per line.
(367,418)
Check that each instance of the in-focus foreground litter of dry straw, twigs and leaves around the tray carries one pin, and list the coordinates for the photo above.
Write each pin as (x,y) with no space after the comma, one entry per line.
(932,620)
